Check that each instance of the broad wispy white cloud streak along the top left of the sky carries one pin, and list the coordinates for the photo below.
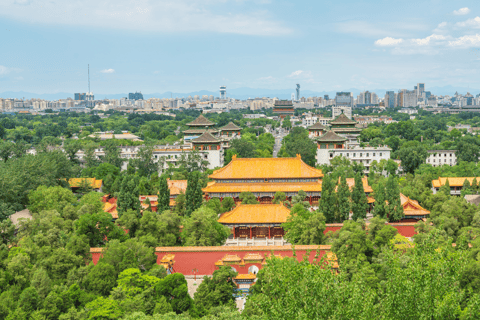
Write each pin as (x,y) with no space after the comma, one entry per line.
(165,16)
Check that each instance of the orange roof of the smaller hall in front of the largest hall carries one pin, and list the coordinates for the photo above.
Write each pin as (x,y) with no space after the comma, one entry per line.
(256,213)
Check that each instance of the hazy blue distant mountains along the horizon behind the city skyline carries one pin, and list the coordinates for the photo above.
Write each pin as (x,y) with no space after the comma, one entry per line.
(238,93)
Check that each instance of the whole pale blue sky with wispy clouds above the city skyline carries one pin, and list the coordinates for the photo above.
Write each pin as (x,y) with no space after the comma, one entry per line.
(182,46)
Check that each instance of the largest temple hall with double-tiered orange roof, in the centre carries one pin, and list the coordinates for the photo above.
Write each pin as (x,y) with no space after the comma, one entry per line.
(264,177)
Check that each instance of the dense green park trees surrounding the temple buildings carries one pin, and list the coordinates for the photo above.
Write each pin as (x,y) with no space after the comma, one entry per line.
(45,263)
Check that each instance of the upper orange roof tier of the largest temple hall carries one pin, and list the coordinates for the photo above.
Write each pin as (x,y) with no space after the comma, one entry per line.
(265,168)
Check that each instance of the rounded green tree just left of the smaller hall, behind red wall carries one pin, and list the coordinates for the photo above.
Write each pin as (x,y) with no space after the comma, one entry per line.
(202,229)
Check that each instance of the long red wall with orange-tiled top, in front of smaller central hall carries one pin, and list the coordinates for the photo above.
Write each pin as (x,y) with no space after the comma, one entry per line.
(204,258)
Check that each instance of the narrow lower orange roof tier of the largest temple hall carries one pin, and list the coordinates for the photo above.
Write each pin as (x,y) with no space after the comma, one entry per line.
(214,187)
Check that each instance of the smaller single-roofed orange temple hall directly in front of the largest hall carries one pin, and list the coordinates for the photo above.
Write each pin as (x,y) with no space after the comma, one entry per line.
(256,224)
